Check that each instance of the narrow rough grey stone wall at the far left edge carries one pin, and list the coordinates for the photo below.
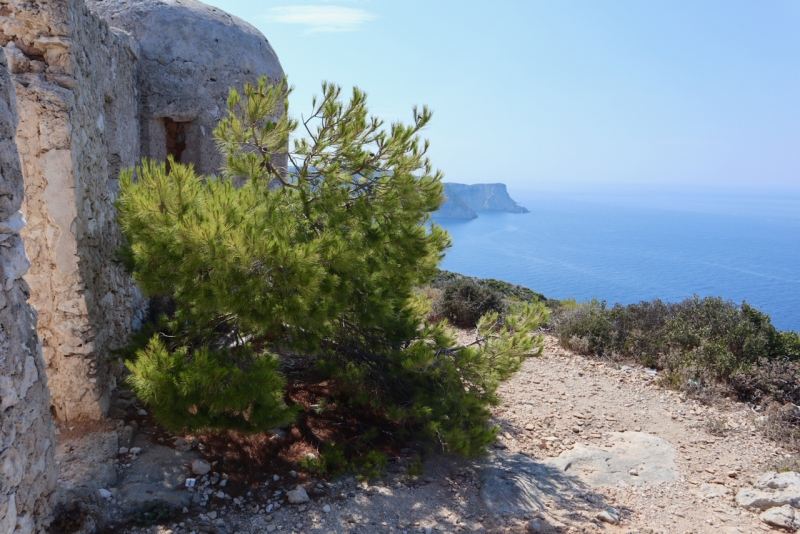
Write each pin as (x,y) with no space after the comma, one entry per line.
(27,439)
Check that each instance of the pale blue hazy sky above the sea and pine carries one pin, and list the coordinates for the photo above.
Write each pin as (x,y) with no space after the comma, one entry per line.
(543,94)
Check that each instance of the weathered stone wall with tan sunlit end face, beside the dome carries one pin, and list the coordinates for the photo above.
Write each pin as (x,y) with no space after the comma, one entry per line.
(78,107)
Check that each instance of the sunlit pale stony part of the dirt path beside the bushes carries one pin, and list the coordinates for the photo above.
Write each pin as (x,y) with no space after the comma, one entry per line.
(577,399)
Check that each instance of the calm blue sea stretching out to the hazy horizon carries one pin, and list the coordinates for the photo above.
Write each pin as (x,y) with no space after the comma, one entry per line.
(633,245)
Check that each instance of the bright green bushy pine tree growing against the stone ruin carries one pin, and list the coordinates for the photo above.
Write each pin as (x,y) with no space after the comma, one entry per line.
(322,259)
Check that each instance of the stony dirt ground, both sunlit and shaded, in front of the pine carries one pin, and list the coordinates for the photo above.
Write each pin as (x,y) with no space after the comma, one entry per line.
(557,401)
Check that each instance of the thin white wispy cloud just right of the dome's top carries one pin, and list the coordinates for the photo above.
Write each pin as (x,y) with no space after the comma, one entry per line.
(318,19)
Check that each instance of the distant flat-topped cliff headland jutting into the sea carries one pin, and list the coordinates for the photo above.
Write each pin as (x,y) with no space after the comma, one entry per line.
(462,201)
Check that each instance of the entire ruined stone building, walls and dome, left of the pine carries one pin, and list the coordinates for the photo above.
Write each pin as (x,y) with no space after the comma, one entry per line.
(96,85)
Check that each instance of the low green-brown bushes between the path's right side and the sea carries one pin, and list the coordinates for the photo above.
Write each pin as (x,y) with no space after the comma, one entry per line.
(696,342)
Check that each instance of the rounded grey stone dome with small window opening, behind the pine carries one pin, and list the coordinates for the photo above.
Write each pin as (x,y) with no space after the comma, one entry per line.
(191,54)
